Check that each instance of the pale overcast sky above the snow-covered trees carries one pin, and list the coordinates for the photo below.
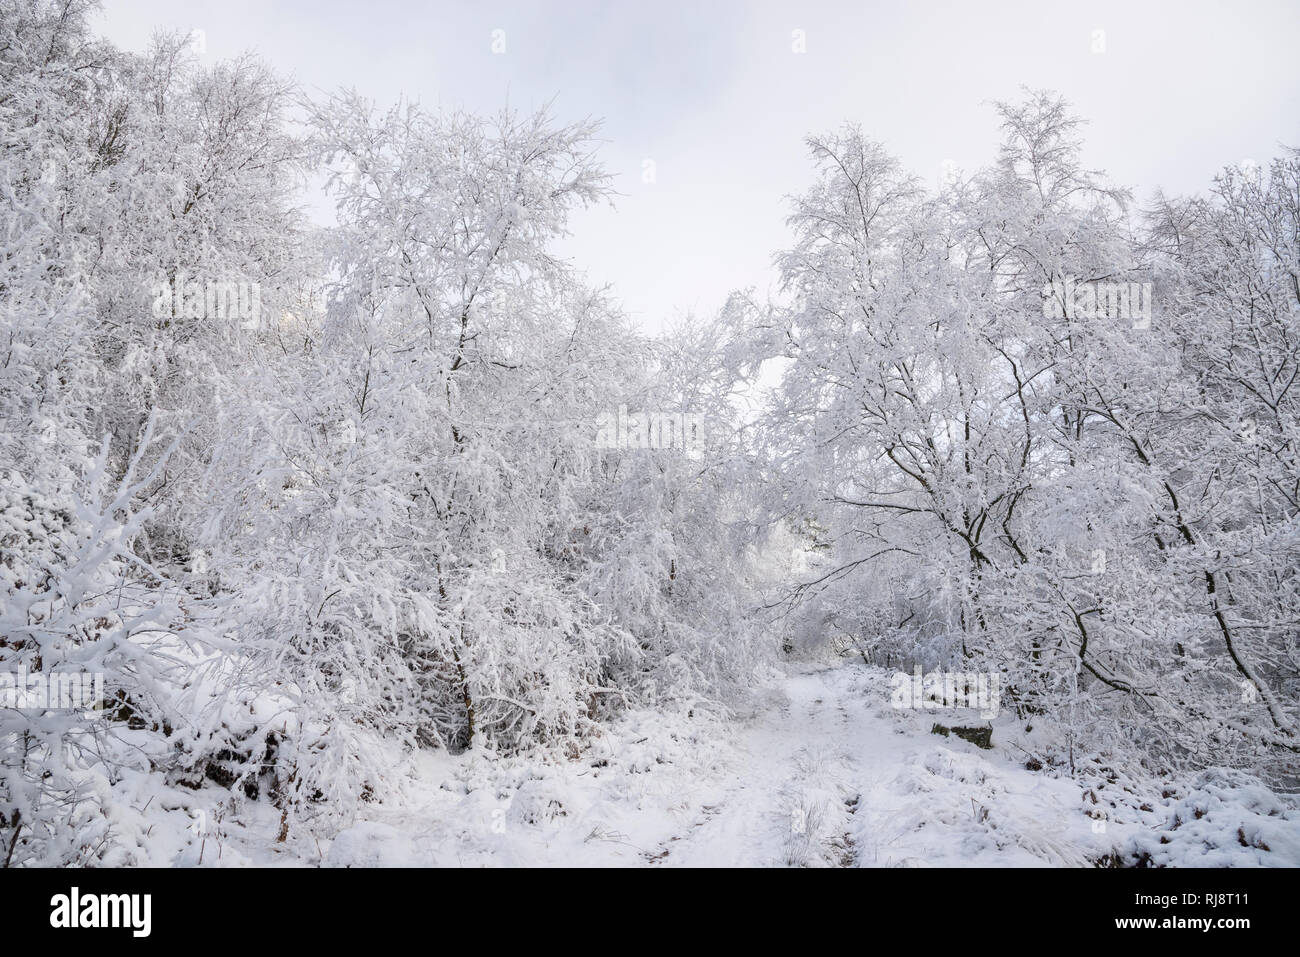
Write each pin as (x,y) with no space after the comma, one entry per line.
(717,98)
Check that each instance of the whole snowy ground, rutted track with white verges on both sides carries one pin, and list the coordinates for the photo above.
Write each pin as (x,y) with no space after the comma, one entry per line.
(824,774)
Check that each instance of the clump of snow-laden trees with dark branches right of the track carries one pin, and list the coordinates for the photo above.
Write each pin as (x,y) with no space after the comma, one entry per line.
(1034,438)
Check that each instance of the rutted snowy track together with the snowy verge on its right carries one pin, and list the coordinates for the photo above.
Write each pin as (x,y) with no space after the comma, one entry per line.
(835,778)
